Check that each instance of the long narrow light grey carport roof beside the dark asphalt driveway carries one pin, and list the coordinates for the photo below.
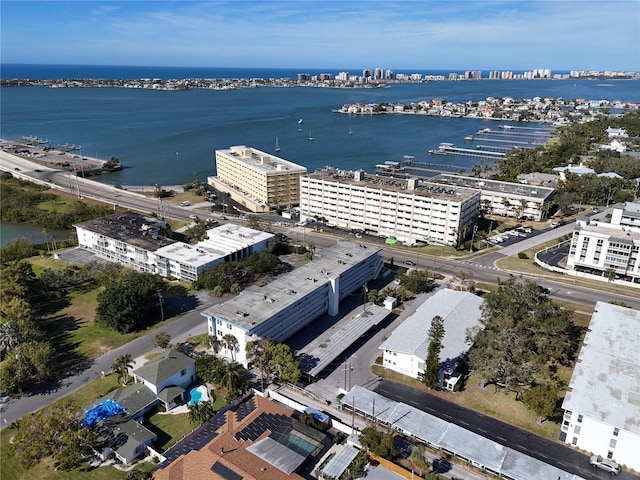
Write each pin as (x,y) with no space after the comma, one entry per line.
(454,439)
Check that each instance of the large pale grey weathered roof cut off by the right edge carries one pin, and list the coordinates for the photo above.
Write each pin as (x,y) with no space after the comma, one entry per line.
(605,384)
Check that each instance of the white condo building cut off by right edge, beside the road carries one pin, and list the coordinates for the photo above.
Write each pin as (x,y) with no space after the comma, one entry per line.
(598,247)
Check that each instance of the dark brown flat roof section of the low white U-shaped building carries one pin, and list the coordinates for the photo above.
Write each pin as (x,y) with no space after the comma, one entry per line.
(130,227)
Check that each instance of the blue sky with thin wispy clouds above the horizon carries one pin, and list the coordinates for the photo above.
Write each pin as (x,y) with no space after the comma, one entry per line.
(402,35)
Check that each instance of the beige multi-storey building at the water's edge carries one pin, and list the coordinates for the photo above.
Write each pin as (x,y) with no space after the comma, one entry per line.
(257,180)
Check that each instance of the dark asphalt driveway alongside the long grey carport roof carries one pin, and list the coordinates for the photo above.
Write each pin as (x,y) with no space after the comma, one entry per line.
(545,450)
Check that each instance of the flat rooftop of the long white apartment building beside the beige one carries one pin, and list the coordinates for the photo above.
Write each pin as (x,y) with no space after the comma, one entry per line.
(412,186)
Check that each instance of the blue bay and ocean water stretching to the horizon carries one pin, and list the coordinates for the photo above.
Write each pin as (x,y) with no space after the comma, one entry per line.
(166,137)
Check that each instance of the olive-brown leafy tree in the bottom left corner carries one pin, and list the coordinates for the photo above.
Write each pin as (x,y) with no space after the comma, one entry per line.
(54,431)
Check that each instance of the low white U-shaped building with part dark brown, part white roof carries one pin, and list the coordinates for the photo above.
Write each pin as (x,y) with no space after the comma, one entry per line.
(137,241)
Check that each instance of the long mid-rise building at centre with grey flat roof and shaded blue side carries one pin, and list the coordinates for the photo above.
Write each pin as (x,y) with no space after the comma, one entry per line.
(284,306)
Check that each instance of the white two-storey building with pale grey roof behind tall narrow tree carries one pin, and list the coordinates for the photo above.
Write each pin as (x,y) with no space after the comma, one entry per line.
(405,350)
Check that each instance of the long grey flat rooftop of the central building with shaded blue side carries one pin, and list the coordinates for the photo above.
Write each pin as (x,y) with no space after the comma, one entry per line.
(257,304)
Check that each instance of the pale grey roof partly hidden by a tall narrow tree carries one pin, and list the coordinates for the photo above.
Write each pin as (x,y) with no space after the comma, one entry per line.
(460,311)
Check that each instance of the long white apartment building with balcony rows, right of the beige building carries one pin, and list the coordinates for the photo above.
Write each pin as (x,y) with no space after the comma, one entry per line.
(409,210)
